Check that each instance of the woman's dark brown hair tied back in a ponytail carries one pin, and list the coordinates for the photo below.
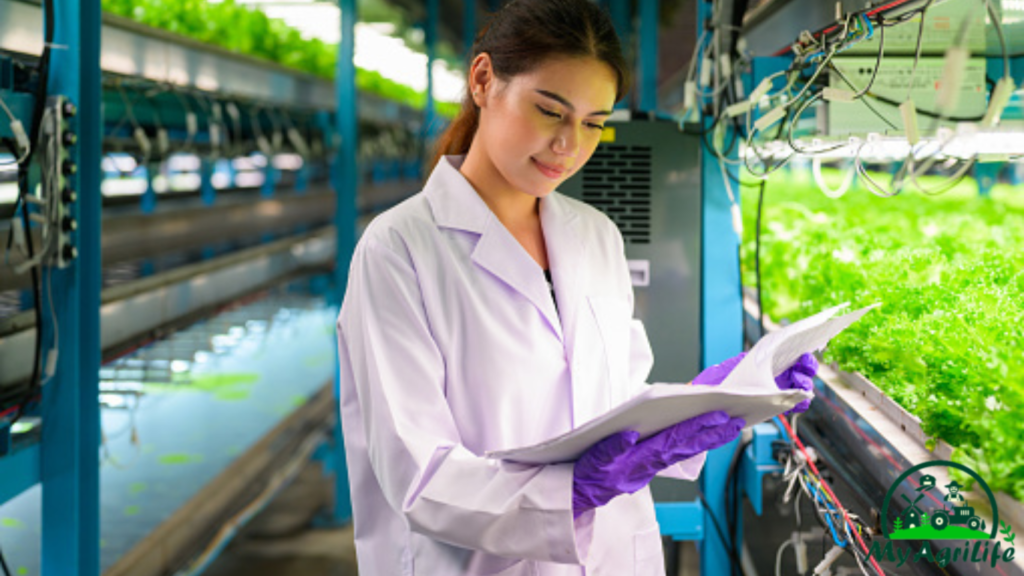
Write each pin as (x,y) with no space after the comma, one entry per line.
(521,36)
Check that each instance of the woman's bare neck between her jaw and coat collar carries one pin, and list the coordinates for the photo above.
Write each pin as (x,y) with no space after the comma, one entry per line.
(515,209)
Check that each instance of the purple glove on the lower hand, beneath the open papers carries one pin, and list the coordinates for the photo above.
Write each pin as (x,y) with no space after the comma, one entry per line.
(619,465)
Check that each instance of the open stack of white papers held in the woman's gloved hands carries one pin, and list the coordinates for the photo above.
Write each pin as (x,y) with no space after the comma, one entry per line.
(749,392)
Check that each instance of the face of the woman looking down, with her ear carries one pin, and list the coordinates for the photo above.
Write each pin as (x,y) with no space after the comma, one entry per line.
(540,128)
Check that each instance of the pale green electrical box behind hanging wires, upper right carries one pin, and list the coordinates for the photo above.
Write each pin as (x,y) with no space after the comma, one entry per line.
(893,85)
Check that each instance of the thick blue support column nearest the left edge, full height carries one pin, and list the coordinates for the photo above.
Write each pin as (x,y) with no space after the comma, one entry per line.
(70,450)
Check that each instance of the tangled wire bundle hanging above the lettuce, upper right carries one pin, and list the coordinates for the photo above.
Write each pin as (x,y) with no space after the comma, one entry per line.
(720,81)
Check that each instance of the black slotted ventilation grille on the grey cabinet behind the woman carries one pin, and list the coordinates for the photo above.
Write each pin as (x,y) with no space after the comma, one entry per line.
(617,181)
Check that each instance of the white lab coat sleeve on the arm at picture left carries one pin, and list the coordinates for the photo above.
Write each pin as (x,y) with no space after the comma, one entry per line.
(444,490)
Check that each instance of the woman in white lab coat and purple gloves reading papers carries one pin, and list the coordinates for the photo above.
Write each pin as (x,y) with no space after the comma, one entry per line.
(453,345)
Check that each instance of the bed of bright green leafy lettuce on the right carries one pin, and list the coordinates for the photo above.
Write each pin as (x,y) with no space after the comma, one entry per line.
(949,342)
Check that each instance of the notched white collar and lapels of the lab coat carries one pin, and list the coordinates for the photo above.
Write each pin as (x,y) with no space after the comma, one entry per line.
(456,204)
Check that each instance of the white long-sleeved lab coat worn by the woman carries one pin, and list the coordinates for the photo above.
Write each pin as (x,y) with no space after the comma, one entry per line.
(451,346)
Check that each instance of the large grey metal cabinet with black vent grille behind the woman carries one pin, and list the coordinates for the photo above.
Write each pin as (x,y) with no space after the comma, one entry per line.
(648,180)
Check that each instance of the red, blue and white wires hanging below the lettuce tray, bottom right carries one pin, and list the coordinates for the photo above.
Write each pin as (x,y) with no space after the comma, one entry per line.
(845,528)
